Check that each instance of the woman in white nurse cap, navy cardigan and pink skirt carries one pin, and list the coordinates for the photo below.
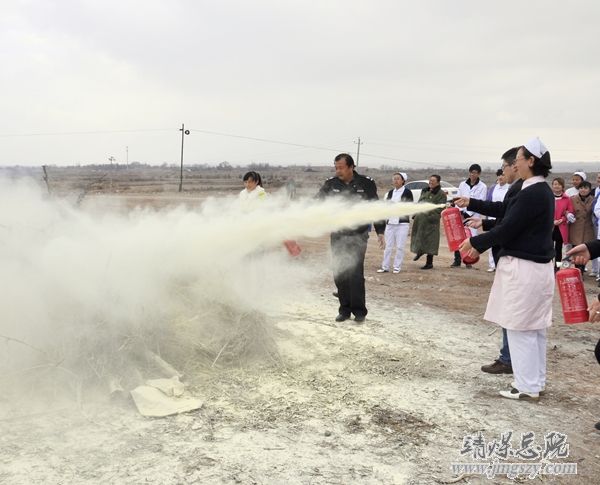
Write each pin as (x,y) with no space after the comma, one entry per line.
(521,296)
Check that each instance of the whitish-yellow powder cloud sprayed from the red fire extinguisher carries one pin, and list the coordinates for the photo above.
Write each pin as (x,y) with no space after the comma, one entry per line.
(82,287)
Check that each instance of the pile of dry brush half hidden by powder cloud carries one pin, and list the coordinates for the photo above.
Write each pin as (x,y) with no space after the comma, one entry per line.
(116,357)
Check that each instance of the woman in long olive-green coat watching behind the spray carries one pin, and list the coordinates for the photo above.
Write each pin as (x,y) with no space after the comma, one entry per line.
(425,238)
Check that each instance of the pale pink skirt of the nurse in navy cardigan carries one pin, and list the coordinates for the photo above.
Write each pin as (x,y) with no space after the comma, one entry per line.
(521,295)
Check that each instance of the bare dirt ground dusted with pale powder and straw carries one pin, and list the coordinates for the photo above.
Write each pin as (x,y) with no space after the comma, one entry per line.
(387,401)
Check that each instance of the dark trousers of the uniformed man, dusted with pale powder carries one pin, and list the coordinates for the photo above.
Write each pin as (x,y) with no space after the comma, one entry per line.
(348,255)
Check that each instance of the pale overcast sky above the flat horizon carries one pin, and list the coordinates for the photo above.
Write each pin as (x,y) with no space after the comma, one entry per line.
(429,81)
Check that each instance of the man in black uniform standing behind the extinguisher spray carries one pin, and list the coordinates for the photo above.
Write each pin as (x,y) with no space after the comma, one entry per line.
(348,247)
